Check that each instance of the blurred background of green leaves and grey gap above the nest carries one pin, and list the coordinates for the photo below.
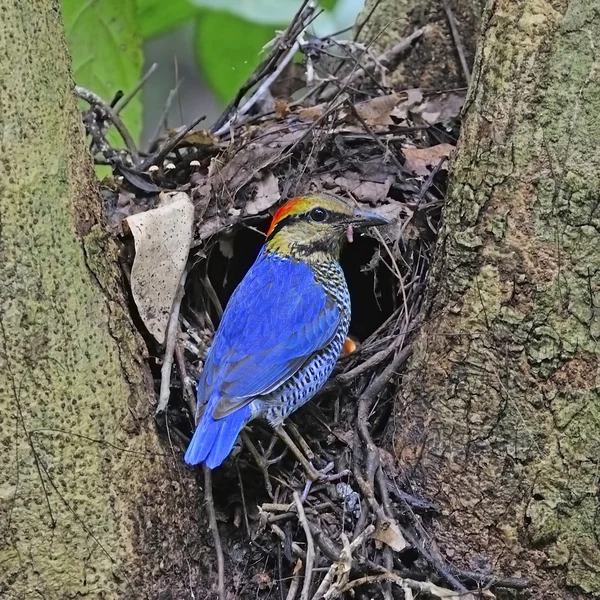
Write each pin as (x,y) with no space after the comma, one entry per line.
(192,55)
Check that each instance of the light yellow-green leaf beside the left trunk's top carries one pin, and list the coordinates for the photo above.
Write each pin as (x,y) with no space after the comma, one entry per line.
(106,51)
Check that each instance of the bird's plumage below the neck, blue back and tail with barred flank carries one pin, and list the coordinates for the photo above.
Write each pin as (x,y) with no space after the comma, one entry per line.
(277,320)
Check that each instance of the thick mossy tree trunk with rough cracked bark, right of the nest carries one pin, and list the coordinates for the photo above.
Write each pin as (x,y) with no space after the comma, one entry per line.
(500,423)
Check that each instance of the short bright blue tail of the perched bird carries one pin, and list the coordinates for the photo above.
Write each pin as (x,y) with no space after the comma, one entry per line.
(213,439)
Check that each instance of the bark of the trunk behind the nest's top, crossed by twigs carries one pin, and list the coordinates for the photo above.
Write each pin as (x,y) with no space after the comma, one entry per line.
(434,64)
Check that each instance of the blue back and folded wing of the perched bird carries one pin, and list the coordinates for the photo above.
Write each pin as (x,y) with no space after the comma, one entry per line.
(275,320)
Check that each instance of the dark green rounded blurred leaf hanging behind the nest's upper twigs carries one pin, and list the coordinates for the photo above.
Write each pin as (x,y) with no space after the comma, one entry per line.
(228,49)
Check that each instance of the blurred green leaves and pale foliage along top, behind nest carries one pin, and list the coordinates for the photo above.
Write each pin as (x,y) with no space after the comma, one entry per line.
(105,40)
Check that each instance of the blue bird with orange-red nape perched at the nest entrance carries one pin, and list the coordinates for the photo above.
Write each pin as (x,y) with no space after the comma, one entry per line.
(283,328)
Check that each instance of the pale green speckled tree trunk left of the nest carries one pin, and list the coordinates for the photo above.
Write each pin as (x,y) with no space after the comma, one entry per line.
(89,504)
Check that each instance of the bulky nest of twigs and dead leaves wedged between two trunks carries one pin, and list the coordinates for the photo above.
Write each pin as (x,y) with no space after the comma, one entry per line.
(328,122)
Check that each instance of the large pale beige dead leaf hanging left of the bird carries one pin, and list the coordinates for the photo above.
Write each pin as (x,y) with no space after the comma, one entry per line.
(162,238)
